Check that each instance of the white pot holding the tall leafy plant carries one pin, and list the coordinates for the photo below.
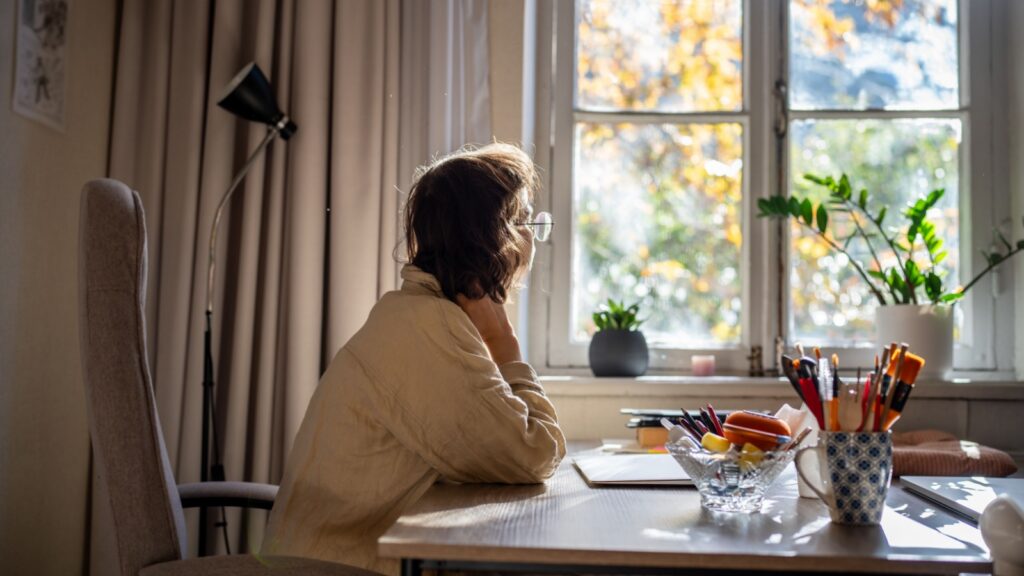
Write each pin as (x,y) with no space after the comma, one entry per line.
(927,328)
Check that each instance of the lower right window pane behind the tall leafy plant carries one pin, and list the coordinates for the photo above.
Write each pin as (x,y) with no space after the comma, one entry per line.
(898,161)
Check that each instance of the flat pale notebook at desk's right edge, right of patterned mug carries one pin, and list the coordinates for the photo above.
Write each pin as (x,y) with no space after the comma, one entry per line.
(965,496)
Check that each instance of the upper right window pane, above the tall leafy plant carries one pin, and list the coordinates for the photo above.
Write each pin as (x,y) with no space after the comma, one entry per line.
(874,55)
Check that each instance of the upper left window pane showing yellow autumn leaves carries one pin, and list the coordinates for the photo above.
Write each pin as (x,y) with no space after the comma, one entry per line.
(665,56)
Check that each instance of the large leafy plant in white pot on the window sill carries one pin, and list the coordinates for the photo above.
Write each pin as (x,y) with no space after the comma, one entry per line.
(917,300)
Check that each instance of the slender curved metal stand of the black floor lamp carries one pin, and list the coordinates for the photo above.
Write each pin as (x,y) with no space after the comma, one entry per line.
(216,471)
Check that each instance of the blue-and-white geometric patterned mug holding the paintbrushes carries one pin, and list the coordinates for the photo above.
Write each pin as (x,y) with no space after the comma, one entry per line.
(856,469)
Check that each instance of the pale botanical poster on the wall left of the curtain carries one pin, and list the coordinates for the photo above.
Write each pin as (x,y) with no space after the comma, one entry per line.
(39,76)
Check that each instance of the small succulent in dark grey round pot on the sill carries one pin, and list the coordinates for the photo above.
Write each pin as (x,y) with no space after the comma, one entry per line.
(618,349)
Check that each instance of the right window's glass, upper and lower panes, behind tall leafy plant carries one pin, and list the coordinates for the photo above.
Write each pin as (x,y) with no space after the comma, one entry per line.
(874,93)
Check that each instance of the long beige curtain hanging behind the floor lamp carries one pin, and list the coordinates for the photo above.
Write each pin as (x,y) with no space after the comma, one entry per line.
(307,245)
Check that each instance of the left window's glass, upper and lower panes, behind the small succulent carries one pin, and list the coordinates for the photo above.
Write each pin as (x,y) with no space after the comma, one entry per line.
(657,184)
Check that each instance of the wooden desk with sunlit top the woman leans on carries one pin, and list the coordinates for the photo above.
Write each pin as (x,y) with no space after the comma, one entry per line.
(566,526)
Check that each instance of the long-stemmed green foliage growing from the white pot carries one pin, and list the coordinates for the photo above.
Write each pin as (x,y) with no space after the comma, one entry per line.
(898,284)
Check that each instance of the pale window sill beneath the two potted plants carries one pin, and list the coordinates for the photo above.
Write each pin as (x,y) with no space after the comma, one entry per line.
(963,386)
